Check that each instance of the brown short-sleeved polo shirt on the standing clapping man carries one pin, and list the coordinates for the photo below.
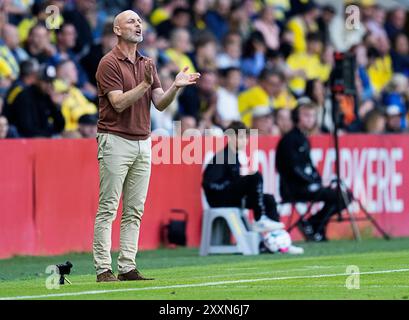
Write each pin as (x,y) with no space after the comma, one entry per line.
(116,72)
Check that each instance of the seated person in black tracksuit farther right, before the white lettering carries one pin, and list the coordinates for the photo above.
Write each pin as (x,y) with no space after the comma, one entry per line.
(299,179)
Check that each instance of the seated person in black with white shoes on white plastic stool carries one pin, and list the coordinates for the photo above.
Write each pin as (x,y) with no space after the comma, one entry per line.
(225,187)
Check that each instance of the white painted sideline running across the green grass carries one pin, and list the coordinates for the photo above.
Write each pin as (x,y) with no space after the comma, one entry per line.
(193,285)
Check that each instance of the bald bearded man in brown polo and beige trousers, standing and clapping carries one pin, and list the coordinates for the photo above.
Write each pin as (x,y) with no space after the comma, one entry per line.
(127,83)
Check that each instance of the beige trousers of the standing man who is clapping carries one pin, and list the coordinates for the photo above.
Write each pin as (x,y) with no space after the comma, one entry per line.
(124,167)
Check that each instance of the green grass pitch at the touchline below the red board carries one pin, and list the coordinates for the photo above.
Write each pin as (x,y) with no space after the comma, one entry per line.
(321,273)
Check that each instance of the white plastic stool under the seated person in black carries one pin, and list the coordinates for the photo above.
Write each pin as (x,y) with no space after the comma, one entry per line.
(219,224)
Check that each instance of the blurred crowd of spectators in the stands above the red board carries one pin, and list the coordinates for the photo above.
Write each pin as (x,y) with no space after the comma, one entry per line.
(256,58)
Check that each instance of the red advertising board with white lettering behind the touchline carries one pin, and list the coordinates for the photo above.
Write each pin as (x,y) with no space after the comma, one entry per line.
(49,188)
